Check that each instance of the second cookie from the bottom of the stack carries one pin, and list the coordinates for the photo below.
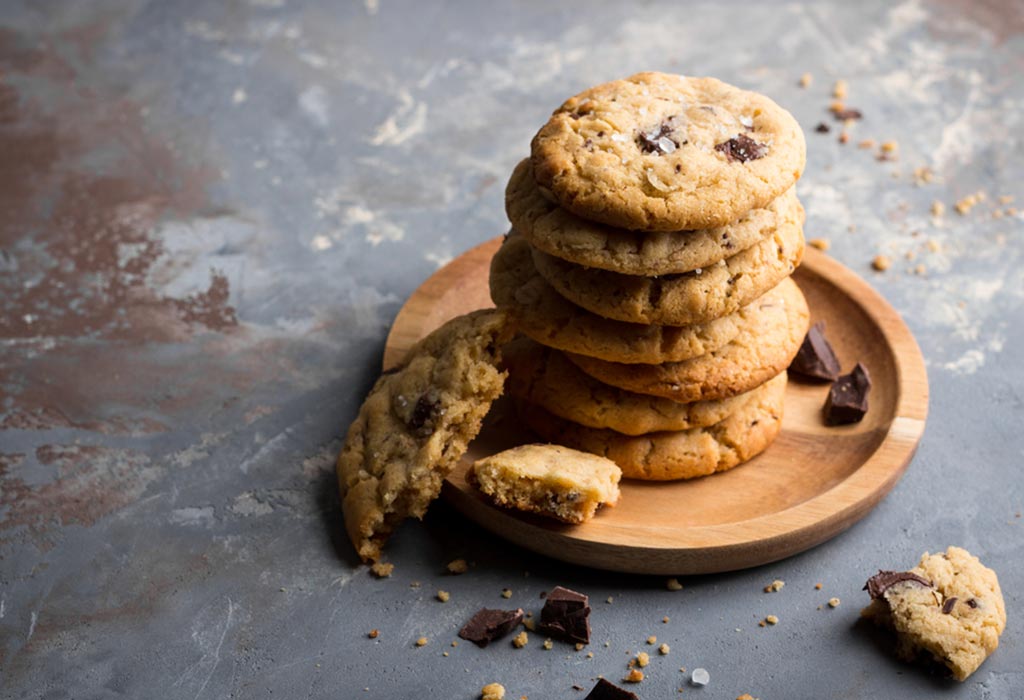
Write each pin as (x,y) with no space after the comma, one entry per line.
(543,377)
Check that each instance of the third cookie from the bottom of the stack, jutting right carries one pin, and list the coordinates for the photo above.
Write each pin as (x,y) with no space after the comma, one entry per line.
(772,333)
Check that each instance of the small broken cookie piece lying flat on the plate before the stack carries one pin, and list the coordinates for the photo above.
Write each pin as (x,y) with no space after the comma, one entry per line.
(551,480)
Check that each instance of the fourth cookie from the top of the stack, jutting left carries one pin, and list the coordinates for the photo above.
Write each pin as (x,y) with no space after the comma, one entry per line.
(549,319)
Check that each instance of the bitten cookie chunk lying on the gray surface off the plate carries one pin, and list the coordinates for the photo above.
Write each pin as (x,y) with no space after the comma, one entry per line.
(950,606)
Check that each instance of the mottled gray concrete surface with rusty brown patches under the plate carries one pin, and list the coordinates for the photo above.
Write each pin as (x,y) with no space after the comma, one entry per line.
(211,212)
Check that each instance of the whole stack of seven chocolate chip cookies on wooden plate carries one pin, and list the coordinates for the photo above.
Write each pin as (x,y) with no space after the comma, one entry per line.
(655,230)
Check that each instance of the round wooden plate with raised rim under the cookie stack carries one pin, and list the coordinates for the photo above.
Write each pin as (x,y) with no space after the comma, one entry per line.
(810,486)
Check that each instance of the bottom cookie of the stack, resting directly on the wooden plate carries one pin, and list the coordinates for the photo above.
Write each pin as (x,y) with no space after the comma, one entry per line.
(684,455)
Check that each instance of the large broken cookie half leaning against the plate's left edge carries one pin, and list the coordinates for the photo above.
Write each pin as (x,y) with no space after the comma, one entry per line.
(415,425)
